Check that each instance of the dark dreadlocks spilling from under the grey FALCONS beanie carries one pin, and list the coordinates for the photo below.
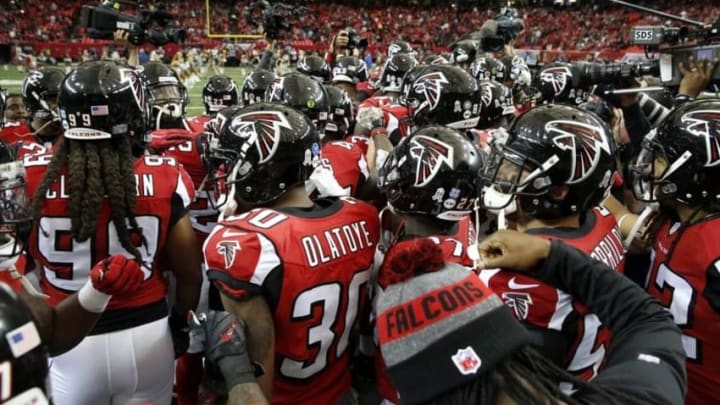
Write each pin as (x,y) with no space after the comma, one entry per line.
(528,378)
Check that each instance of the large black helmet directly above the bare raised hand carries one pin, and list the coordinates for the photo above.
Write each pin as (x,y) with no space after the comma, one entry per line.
(547,147)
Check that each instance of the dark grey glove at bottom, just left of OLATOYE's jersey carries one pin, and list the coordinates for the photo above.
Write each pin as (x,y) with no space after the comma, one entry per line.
(225,346)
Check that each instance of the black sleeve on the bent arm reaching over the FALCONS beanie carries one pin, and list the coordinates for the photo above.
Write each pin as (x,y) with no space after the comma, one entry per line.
(646,359)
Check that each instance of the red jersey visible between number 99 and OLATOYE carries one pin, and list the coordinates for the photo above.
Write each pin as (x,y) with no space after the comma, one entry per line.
(185,147)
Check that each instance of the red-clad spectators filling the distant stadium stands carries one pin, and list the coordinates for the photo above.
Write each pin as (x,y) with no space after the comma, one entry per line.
(564,28)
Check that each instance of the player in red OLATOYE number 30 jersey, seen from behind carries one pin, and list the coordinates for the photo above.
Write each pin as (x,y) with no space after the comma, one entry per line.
(295,270)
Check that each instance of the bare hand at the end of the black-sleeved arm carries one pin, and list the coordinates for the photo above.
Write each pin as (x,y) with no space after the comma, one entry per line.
(512,250)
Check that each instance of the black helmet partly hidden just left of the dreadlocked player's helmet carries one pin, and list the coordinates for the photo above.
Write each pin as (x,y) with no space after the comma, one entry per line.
(40,89)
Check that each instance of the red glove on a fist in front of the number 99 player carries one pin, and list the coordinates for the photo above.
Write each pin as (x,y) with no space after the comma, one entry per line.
(117,275)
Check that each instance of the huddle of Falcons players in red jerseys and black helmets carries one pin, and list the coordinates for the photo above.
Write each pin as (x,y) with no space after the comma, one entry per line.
(295,208)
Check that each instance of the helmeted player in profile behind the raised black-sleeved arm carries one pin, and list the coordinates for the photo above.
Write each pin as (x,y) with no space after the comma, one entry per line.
(549,178)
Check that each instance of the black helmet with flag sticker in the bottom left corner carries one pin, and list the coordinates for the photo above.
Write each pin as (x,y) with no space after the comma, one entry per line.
(22,351)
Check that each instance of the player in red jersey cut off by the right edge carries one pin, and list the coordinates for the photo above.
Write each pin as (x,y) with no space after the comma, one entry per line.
(678,169)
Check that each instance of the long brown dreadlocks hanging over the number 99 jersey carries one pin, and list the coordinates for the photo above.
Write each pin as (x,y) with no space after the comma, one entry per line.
(95,169)
